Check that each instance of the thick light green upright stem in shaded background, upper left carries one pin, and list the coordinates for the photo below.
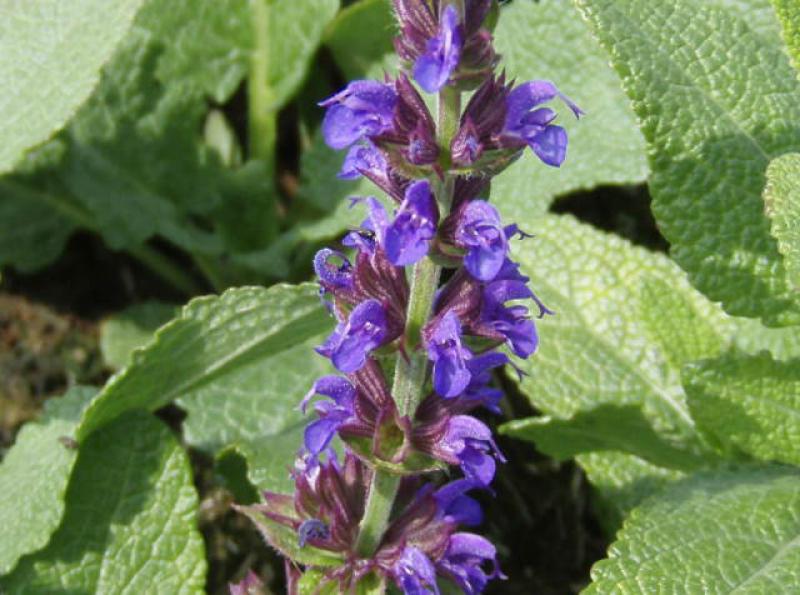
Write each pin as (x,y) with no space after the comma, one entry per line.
(262,116)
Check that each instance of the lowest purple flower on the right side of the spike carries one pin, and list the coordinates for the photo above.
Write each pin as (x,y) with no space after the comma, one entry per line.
(464,559)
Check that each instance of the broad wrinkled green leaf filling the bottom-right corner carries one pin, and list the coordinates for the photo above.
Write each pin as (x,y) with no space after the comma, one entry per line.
(722,532)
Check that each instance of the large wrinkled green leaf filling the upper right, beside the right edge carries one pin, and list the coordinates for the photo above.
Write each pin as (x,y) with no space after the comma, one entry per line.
(713,117)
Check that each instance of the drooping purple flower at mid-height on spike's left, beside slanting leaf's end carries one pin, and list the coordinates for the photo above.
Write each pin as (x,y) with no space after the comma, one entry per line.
(351,341)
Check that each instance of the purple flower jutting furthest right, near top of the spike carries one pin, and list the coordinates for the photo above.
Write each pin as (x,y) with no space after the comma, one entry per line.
(534,126)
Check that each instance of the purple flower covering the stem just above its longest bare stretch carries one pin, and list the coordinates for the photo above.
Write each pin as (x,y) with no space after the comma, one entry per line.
(414,226)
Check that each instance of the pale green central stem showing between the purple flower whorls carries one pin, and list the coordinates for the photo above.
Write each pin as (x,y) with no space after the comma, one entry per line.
(411,366)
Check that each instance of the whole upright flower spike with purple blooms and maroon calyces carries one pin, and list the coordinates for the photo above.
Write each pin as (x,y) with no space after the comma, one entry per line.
(416,354)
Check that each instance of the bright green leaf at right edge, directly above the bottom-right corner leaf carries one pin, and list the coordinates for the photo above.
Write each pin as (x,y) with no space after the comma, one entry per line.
(748,403)
